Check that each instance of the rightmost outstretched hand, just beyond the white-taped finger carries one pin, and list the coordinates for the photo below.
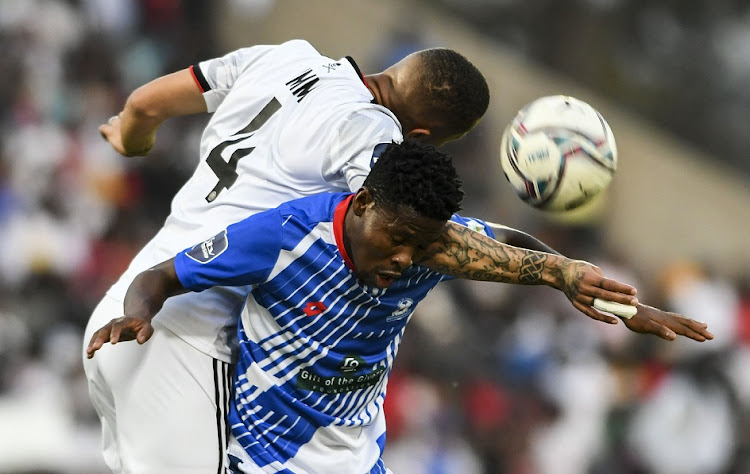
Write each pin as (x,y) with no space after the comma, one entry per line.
(666,325)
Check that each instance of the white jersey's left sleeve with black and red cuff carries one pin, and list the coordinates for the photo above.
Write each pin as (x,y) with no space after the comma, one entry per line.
(216,77)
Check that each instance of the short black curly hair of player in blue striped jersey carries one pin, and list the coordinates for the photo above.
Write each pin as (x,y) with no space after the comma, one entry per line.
(418,176)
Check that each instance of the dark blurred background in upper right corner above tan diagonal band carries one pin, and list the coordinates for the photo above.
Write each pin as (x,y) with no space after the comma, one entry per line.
(684,65)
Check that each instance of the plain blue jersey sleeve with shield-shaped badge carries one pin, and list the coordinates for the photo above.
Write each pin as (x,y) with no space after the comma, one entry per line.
(242,254)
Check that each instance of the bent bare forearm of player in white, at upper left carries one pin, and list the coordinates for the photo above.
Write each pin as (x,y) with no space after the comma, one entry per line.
(132,132)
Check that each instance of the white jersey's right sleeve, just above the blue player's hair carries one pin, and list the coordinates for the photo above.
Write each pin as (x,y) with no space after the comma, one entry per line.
(359,141)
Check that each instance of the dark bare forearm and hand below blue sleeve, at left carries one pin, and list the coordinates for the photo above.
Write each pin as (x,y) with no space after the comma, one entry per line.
(145,297)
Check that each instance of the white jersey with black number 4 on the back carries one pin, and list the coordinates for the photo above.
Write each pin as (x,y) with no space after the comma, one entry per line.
(287,122)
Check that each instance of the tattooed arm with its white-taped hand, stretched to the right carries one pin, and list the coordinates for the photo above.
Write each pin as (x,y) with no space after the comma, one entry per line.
(463,253)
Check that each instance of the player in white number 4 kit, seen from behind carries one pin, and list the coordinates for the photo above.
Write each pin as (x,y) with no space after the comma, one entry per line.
(287,122)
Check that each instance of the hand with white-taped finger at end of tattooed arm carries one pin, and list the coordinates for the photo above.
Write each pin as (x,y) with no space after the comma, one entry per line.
(582,282)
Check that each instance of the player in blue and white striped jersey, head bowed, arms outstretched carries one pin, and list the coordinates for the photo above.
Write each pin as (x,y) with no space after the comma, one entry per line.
(334,280)
